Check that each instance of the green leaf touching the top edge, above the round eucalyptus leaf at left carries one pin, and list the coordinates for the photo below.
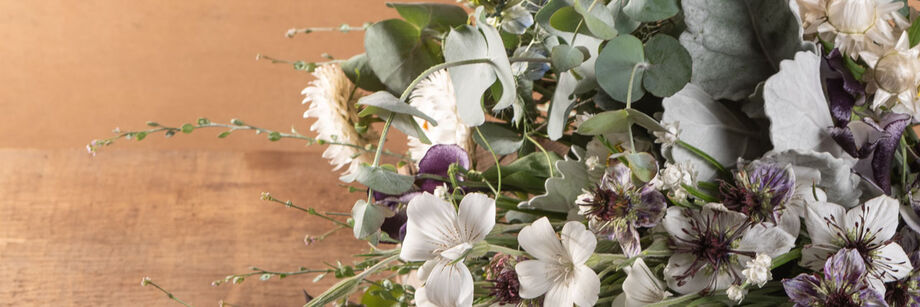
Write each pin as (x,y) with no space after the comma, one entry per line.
(438,16)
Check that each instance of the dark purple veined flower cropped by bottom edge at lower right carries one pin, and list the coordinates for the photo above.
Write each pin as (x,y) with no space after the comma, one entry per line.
(843,284)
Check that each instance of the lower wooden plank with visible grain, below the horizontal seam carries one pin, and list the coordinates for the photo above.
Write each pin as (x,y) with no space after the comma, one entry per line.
(81,231)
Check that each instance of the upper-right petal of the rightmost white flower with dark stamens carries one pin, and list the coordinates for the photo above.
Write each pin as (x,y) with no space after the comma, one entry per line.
(878,216)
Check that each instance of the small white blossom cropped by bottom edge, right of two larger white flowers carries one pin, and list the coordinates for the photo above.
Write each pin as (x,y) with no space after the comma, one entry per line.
(641,287)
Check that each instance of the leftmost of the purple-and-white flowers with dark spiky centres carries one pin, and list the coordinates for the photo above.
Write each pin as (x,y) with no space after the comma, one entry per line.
(616,207)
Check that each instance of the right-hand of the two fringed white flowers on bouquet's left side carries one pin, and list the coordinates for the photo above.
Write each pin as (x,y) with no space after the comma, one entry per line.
(434,96)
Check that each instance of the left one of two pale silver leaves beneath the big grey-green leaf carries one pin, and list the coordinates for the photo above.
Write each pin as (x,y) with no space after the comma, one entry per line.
(711,127)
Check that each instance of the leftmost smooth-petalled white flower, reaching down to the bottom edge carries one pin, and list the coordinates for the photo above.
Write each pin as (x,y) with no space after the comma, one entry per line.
(441,237)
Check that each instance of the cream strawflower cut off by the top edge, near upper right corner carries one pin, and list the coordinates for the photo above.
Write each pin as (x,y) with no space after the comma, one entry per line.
(853,25)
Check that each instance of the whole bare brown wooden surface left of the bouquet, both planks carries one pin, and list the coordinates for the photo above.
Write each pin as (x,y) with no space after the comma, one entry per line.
(82,231)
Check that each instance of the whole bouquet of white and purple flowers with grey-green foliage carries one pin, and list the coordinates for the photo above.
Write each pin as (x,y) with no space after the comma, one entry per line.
(624,153)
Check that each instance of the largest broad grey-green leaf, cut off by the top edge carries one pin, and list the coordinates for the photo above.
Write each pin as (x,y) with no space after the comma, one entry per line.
(737,44)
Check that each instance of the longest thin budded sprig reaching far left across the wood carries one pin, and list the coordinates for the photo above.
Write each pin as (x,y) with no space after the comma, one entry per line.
(234,125)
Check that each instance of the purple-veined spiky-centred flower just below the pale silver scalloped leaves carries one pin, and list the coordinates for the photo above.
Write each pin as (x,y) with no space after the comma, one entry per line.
(759,191)
